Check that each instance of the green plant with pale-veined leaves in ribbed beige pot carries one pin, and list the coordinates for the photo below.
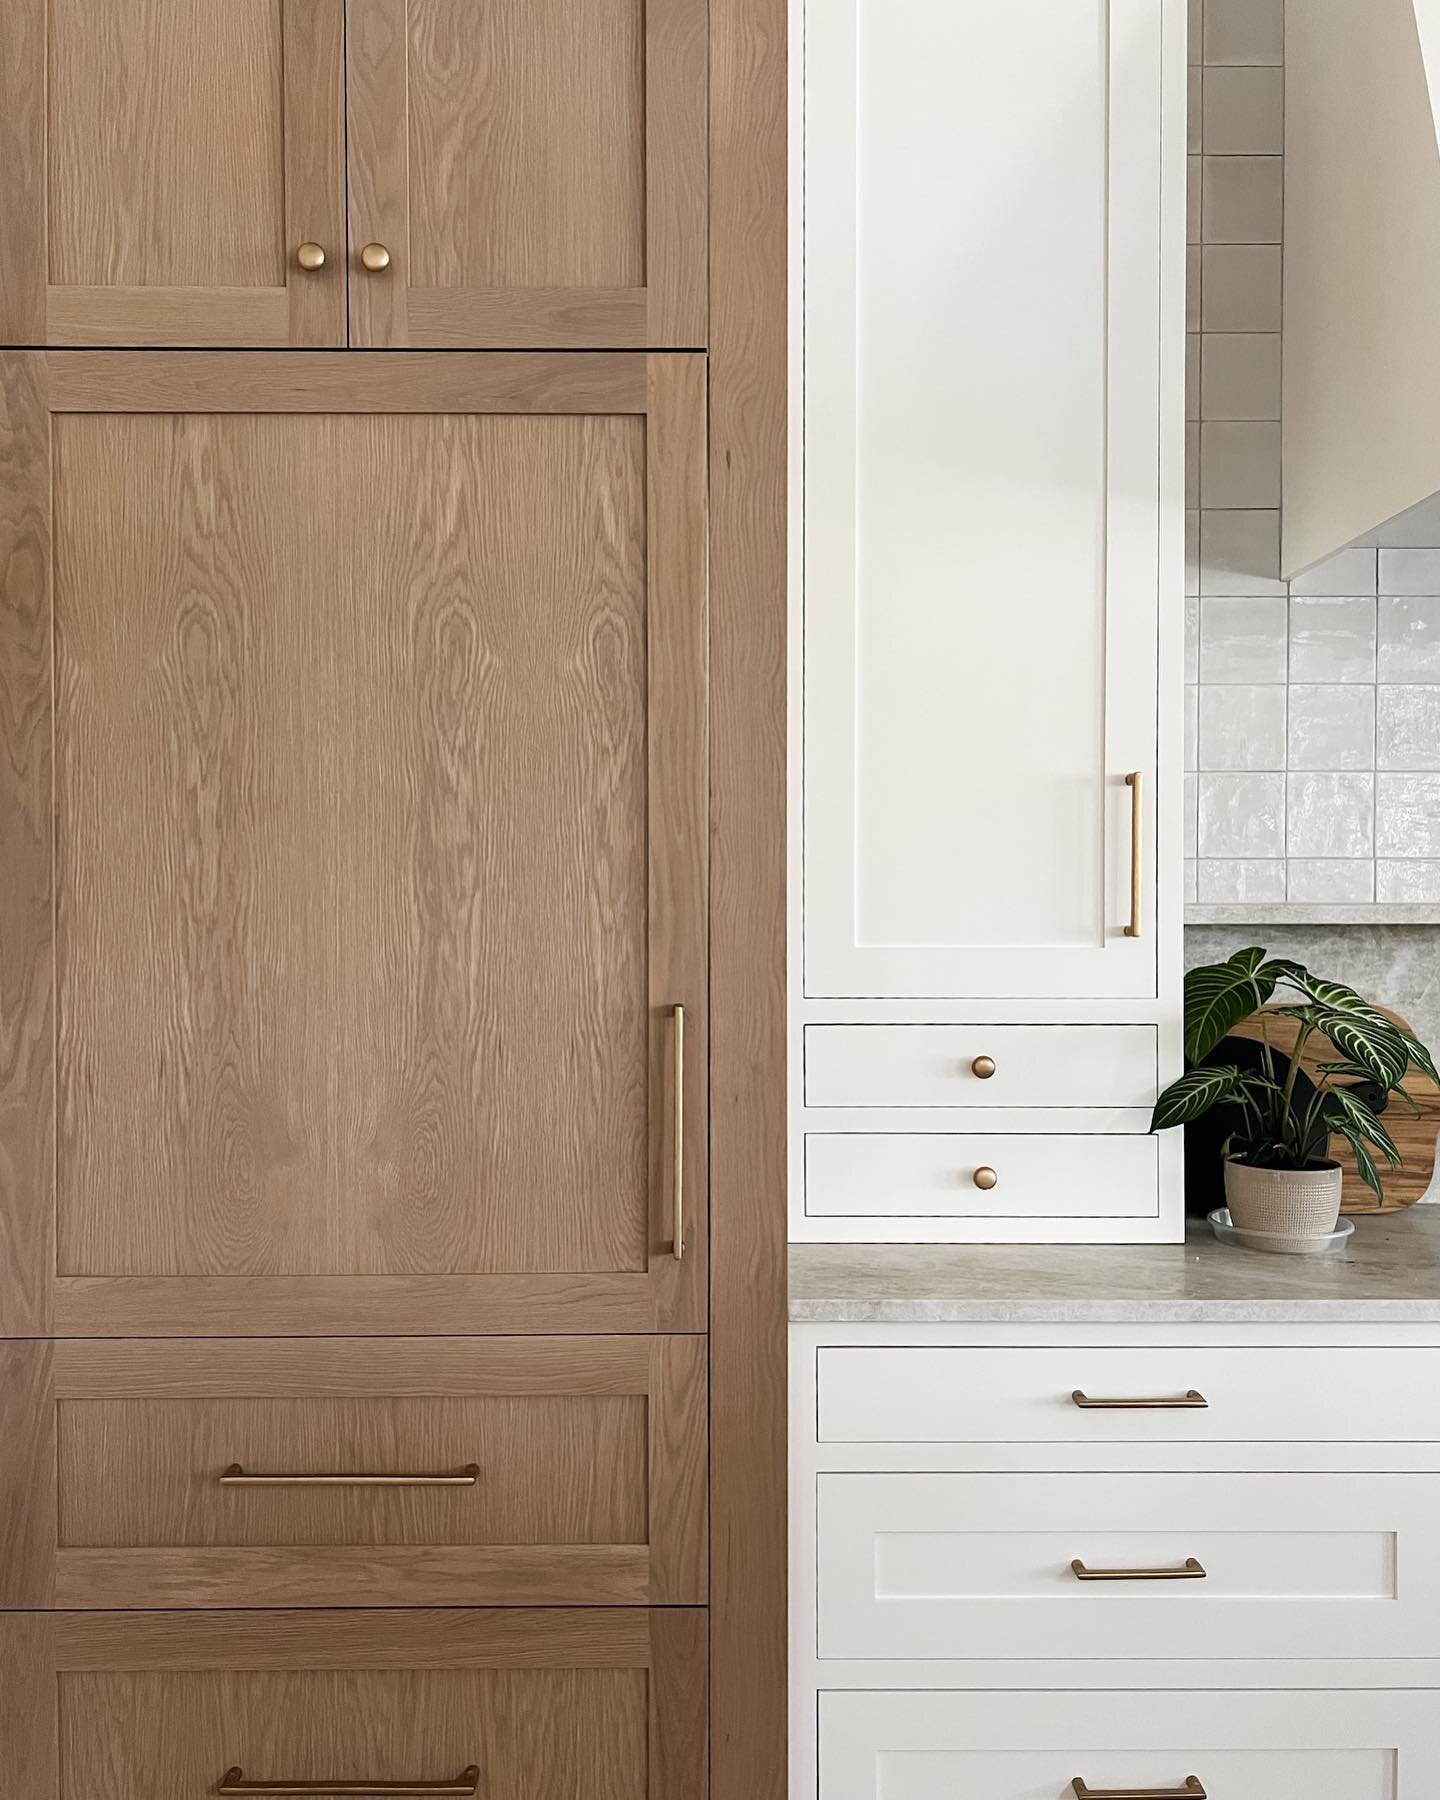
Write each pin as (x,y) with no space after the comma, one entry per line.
(1279,1173)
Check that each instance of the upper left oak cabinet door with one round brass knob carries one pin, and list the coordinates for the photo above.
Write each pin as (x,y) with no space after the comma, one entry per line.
(163,165)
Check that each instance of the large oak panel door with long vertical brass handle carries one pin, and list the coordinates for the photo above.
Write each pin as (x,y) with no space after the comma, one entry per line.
(354,809)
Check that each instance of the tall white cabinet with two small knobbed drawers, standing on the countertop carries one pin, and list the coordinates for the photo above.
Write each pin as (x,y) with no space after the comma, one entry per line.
(987,530)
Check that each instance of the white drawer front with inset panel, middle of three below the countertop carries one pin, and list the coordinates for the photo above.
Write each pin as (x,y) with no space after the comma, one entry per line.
(980,1565)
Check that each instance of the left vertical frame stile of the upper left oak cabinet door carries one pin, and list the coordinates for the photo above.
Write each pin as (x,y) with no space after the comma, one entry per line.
(24,190)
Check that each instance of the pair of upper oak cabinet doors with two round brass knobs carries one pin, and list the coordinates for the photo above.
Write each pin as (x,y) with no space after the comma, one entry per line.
(375,172)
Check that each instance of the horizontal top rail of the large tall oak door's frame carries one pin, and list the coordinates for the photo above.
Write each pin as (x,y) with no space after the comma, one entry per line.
(265,382)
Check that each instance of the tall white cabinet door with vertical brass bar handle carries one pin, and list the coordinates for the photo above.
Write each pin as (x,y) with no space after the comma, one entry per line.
(985,546)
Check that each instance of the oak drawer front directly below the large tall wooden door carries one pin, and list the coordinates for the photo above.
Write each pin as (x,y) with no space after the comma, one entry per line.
(575,1473)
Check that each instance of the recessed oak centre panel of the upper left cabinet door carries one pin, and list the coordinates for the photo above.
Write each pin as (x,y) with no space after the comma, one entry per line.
(166,145)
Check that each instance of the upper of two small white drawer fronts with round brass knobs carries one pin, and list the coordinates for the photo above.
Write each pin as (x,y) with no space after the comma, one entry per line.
(1023,1066)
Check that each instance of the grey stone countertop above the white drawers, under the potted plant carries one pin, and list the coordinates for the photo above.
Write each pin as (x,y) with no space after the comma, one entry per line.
(1389,1275)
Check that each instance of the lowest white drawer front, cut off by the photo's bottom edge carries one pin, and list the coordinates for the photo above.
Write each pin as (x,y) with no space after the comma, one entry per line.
(1032,1747)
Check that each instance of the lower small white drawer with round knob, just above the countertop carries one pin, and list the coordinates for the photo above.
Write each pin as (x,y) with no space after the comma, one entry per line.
(935,1176)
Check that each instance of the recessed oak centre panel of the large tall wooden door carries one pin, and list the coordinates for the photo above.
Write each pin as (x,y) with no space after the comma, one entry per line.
(328,1002)
